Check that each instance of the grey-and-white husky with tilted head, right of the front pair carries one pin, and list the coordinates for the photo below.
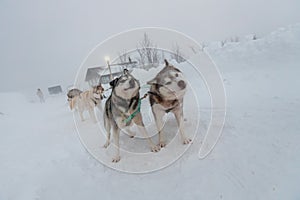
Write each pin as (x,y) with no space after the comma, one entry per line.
(166,95)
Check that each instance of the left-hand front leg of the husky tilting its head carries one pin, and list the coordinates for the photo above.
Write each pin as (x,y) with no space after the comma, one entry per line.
(158,116)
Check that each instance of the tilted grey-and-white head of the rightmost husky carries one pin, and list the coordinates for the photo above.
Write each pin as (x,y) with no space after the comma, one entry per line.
(169,82)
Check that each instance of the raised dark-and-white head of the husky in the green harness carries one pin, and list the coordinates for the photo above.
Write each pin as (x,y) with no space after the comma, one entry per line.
(125,86)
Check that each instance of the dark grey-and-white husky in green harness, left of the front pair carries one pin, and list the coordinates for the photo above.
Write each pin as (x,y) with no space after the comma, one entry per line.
(122,110)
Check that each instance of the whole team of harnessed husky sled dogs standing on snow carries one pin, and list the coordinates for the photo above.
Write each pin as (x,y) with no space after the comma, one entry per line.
(122,108)
